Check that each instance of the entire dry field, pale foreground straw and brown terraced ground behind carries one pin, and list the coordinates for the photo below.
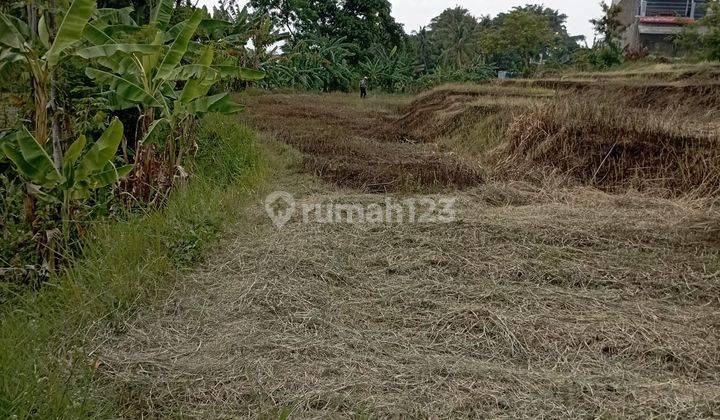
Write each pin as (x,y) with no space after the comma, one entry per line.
(581,277)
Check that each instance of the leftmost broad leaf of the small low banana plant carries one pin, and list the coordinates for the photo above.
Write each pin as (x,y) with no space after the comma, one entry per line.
(30,159)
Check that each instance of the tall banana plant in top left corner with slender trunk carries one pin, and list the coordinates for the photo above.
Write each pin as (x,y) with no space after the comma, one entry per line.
(38,47)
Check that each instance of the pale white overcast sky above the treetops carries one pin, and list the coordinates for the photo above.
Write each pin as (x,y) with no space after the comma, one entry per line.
(416,13)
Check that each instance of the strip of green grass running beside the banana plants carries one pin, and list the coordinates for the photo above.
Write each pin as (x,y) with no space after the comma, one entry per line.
(47,368)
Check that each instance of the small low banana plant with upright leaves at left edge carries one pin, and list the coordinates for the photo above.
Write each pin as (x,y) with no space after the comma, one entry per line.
(82,171)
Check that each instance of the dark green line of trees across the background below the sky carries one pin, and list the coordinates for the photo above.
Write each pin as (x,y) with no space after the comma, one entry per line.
(329,48)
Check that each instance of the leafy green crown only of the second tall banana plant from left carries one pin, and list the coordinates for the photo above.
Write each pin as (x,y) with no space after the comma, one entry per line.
(147,72)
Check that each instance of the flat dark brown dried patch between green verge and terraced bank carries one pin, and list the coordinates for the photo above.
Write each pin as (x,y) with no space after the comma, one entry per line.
(355,146)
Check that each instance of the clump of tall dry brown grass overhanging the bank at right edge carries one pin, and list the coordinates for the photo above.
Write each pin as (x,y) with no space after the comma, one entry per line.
(608,147)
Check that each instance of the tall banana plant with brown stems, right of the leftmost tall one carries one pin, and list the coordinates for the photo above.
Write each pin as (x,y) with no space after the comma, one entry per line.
(162,76)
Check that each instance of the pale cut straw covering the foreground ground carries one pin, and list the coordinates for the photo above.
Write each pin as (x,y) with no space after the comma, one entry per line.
(556,303)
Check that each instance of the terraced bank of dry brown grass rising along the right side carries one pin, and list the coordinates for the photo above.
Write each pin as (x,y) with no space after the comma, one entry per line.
(588,135)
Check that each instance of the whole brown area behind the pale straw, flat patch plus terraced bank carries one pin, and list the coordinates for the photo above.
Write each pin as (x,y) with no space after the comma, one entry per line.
(610,135)
